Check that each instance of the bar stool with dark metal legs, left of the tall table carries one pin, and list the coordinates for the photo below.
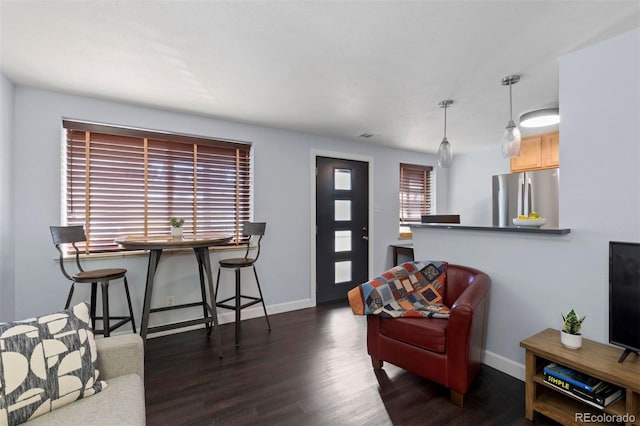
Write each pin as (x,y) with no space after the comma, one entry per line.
(74,234)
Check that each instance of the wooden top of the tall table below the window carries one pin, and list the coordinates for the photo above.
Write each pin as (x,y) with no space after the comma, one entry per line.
(167,242)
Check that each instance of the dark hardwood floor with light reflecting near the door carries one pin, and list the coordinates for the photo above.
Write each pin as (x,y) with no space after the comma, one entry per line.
(311,369)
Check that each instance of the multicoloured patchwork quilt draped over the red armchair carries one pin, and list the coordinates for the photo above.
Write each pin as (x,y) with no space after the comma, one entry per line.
(413,289)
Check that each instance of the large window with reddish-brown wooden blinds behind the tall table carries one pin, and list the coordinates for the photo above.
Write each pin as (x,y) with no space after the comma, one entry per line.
(121,181)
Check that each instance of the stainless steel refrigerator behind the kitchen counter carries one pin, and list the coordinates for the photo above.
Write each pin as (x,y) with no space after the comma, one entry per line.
(521,193)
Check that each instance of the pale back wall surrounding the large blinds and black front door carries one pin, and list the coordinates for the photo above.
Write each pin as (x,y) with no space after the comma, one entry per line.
(282,198)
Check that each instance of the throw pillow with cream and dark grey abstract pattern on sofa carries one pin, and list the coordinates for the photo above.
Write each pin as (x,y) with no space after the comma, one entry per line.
(46,363)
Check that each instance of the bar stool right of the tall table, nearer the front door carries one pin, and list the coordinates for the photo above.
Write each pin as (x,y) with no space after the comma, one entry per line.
(255,231)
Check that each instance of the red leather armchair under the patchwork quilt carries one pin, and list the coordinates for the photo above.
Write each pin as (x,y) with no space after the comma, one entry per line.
(445,351)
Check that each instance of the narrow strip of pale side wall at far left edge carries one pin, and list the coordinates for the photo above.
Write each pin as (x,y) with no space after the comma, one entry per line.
(7,233)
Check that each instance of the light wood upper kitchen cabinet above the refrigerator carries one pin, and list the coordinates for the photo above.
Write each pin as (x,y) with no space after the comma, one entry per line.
(538,152)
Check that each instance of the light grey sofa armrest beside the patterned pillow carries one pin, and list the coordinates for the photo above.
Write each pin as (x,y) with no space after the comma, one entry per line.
(119,355)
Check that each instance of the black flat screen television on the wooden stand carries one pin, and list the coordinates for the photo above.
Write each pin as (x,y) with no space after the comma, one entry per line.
(624,296)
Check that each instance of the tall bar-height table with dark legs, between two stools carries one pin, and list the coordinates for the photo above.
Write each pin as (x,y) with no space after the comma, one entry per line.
(200,245)
